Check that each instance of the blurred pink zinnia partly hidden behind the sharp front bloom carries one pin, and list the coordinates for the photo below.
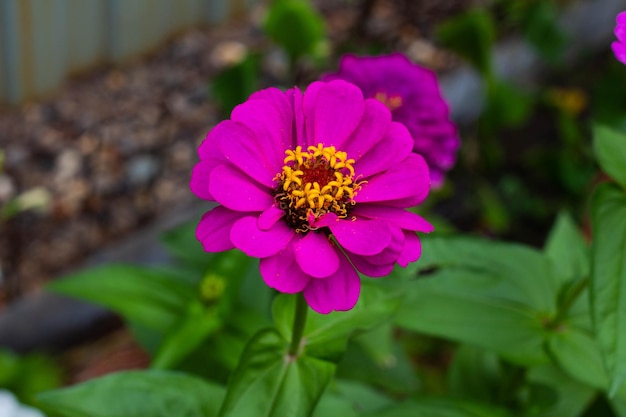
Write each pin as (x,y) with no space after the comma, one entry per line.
(412,94)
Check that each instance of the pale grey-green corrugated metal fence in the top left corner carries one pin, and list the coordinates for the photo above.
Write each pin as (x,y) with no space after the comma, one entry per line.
(42,41)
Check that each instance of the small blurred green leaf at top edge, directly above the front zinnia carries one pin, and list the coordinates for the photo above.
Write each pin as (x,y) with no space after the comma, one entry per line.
(296,26)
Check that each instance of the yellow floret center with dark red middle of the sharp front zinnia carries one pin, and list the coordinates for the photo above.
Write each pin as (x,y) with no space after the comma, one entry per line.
(314,182)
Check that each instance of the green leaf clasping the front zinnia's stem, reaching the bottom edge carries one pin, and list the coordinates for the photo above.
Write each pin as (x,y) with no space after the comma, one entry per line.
(269,382)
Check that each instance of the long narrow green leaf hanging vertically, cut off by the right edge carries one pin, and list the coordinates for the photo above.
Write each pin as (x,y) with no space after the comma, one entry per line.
(608,279)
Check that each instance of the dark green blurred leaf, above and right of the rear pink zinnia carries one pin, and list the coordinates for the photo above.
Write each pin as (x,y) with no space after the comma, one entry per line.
(471,35)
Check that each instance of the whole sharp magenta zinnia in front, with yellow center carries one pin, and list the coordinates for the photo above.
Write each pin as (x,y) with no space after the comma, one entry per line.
(315,185)
